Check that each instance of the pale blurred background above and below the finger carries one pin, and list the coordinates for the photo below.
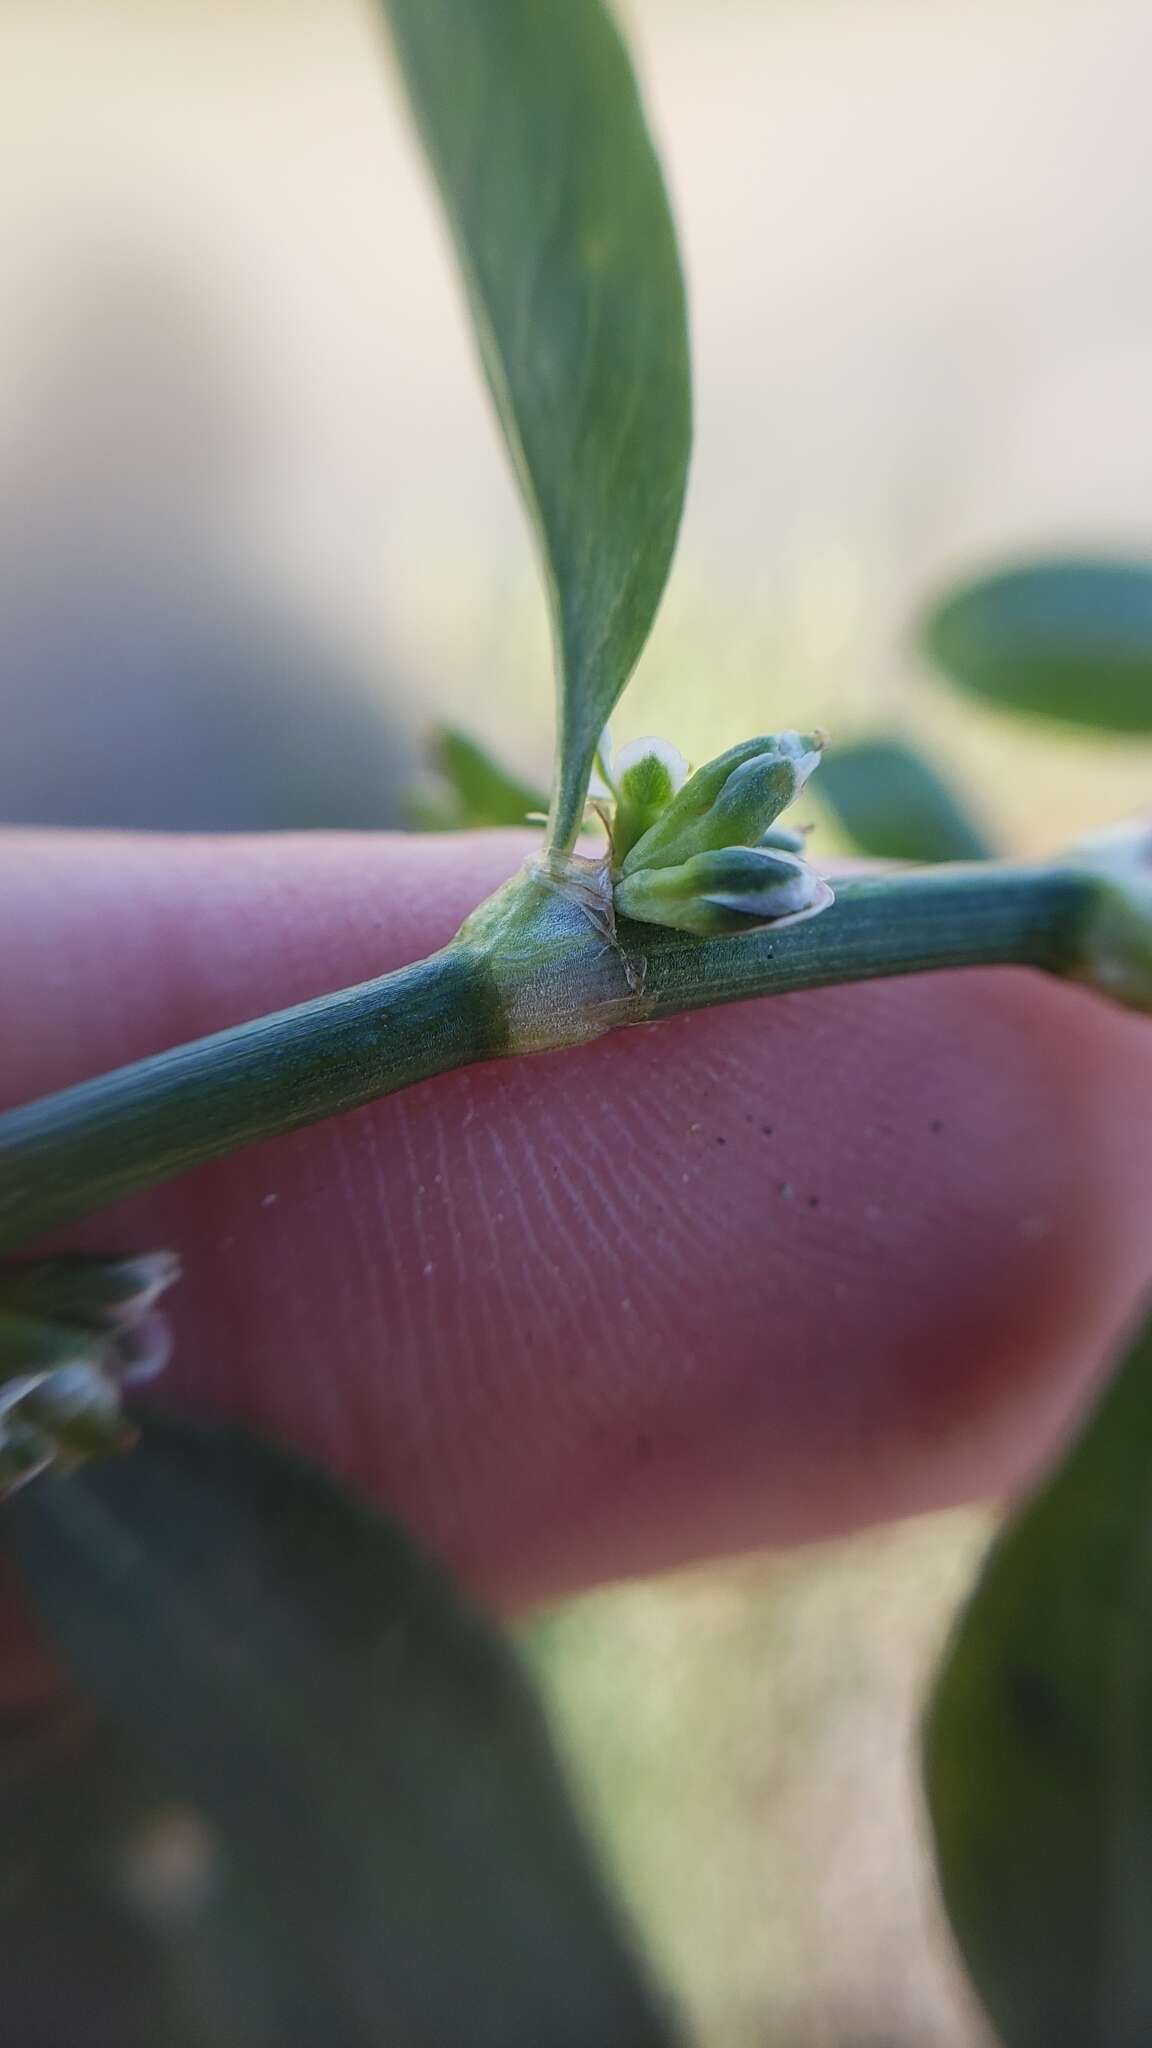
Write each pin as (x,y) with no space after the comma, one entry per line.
(257,540)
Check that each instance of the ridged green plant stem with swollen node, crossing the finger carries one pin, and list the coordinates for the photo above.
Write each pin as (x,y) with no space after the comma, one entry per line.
(528,974)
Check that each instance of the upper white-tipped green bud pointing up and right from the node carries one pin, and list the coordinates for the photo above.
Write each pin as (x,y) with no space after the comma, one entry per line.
(731,802)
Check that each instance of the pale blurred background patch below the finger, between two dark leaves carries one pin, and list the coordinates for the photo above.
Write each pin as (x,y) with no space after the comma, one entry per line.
(747,1740)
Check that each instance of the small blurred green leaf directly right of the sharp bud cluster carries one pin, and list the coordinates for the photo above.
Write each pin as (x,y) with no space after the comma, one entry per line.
(897,806)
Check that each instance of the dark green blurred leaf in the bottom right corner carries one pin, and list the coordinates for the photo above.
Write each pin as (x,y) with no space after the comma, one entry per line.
(1040,1748)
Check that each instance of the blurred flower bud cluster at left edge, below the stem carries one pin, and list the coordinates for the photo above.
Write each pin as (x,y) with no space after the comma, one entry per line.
(73,1332)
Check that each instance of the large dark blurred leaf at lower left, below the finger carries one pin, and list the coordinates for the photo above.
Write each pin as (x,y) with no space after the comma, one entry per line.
(388,1846)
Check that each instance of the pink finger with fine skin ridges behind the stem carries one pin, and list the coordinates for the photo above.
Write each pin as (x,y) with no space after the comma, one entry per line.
(741,1279)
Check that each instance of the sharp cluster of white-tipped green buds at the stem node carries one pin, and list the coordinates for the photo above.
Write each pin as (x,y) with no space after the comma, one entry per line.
(704,853)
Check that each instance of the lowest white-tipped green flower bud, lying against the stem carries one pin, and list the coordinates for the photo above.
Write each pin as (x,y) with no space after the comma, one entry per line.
(733,890)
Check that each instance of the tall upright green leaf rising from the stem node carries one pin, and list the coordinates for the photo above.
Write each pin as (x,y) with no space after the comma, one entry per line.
(534,126)
